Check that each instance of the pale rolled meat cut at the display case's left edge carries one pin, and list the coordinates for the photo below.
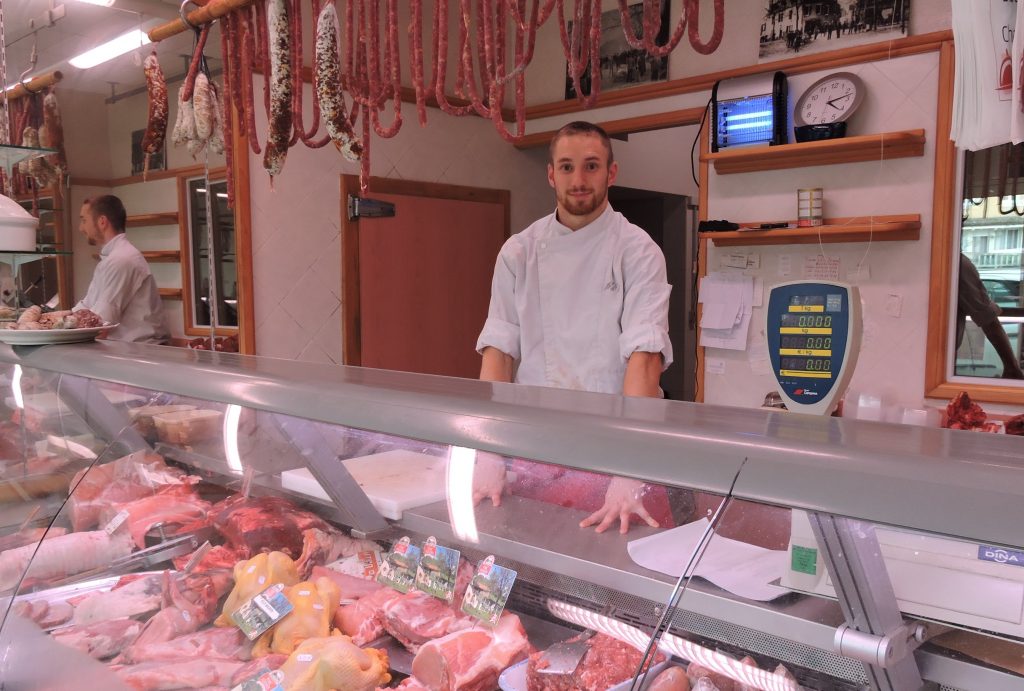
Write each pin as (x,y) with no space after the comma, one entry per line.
(63,556)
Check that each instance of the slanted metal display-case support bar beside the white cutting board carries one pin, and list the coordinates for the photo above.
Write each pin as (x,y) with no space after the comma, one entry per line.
(334,479)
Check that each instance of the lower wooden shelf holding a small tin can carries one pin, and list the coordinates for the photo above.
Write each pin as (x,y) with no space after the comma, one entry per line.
(856,230)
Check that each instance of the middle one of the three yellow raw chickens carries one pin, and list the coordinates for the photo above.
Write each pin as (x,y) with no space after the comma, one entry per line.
(314,607)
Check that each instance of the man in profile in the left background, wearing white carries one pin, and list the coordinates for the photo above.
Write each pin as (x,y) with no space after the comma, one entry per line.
(122,290)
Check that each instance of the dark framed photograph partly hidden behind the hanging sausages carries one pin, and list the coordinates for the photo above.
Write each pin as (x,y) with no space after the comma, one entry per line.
(623,66)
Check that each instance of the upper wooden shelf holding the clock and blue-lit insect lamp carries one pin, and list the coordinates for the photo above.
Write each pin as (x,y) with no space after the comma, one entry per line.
(847,150)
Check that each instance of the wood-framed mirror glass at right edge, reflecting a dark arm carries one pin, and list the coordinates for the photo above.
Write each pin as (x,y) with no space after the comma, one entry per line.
(990,318)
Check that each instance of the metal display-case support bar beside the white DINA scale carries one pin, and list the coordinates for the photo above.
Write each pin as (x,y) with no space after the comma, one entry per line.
(876,633)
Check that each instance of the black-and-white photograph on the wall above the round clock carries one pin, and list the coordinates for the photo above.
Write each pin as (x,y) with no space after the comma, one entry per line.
(795,27)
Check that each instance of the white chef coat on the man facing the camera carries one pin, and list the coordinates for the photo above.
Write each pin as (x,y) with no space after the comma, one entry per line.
(571,308)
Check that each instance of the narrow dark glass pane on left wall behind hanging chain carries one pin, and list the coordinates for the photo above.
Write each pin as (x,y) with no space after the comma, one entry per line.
(200,193)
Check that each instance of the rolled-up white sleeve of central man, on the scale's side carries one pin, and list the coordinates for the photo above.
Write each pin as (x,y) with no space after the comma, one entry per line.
(646,309)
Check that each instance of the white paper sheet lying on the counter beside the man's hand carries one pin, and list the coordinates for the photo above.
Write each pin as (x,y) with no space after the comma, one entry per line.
(743,570)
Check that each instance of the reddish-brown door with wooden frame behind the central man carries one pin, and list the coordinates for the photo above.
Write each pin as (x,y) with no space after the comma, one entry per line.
(416,287)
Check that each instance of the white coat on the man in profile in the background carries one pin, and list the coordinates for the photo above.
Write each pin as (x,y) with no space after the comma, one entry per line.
(123,292)
